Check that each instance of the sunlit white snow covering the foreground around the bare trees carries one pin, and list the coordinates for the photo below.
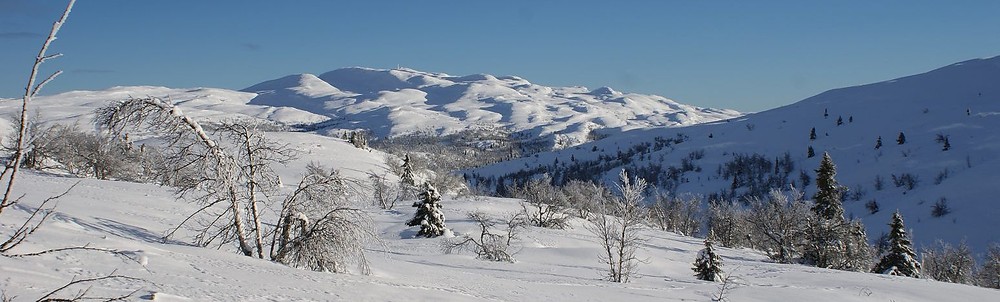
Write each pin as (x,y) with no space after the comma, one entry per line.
(553,265)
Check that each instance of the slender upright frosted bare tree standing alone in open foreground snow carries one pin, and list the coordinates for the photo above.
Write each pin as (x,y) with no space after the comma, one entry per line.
(617,226)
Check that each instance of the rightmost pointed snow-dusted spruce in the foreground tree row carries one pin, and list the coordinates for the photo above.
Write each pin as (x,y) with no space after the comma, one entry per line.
(901,259)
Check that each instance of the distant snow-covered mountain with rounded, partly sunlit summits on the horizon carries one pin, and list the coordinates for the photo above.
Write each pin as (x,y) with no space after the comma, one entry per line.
(404,101)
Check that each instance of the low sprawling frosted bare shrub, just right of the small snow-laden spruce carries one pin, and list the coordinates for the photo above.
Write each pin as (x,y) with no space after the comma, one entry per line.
(492,245)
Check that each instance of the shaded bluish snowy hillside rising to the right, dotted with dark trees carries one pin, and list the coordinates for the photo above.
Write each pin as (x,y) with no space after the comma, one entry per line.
(960,101)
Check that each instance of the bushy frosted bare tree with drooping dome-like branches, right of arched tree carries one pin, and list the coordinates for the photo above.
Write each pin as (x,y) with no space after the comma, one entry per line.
(320,229)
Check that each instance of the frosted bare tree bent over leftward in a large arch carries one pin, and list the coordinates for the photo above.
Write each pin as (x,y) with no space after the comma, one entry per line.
(206,170)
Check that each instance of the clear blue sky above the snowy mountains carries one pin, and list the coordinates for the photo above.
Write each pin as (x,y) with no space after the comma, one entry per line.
(746,55)
